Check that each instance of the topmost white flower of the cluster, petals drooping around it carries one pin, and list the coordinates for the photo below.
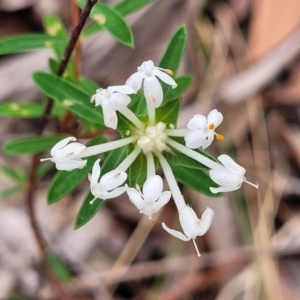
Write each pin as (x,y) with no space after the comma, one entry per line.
(147,72)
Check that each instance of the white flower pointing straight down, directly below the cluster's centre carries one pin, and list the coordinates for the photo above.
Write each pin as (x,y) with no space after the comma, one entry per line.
(152,199)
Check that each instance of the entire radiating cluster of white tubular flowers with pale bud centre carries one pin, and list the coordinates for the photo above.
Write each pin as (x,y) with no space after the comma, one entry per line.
(153,140)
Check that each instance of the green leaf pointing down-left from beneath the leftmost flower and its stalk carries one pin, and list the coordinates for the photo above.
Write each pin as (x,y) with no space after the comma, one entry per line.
(65,182)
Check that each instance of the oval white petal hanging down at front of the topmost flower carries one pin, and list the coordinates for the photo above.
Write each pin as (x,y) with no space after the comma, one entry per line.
(153,91)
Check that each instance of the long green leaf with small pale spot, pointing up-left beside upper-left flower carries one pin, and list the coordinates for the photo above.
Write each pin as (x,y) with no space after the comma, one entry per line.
(68,95)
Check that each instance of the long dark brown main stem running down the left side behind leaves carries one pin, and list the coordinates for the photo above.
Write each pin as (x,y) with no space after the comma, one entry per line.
(41,242)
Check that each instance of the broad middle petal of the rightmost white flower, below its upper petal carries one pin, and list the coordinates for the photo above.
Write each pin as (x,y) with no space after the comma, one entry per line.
(223,177)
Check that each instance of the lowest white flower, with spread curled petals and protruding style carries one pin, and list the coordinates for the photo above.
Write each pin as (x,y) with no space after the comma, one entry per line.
(191,225)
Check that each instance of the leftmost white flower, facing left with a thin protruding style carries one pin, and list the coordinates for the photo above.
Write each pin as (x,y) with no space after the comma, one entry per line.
(66,156)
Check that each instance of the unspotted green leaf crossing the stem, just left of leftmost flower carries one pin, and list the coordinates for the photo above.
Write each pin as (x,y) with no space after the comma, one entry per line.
(32,144)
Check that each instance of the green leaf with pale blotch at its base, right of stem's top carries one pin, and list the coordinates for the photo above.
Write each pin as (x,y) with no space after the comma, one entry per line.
(112,22)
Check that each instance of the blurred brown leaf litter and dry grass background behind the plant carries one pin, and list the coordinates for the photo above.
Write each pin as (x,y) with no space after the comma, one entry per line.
(244,55)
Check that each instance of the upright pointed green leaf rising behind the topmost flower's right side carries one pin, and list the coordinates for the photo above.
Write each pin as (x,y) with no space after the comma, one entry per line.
(173,55)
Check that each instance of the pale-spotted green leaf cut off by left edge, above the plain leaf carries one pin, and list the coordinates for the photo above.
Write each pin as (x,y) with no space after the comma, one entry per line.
(21,110)
